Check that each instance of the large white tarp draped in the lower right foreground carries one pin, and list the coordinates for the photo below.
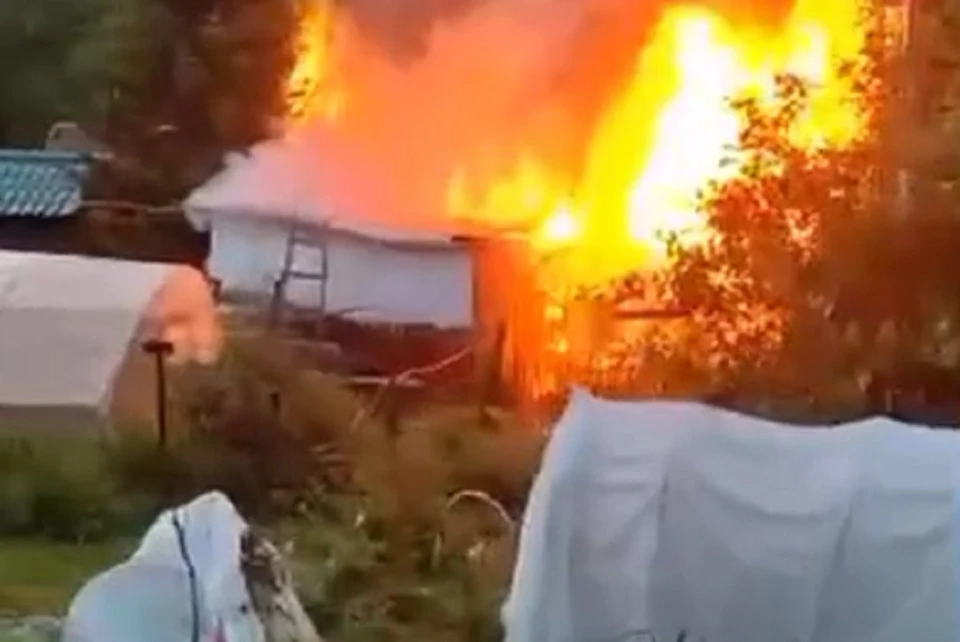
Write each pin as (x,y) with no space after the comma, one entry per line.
(653,519)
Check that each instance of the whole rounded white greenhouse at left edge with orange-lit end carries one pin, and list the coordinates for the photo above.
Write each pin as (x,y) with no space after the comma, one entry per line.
(70,334)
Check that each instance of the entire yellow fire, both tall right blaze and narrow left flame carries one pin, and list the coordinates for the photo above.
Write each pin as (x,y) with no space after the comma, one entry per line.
(668,133)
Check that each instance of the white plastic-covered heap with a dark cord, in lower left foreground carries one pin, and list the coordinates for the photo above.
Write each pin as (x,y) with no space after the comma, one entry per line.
(148,598)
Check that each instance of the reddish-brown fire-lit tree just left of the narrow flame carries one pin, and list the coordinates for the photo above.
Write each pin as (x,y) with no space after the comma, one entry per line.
(215,82)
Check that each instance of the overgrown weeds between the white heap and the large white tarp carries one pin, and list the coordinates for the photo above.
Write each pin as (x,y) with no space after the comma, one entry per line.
(370,565)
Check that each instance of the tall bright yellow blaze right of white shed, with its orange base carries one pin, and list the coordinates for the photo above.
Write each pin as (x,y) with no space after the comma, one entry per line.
(670,132)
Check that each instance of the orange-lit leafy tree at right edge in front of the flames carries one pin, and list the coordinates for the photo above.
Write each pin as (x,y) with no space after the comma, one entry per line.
(816,280)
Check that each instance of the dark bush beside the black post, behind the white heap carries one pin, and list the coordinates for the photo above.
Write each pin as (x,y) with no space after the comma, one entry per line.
(230,433)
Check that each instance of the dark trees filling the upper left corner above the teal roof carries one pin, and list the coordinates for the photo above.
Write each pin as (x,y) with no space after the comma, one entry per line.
(169,84)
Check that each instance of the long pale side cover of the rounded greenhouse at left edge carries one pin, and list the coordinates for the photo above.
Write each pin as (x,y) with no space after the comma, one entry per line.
(66,323)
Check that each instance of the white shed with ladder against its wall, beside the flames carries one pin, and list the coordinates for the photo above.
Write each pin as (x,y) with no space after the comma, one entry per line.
(378,269)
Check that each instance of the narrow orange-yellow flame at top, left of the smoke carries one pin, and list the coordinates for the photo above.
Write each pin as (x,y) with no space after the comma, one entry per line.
(313,90)
